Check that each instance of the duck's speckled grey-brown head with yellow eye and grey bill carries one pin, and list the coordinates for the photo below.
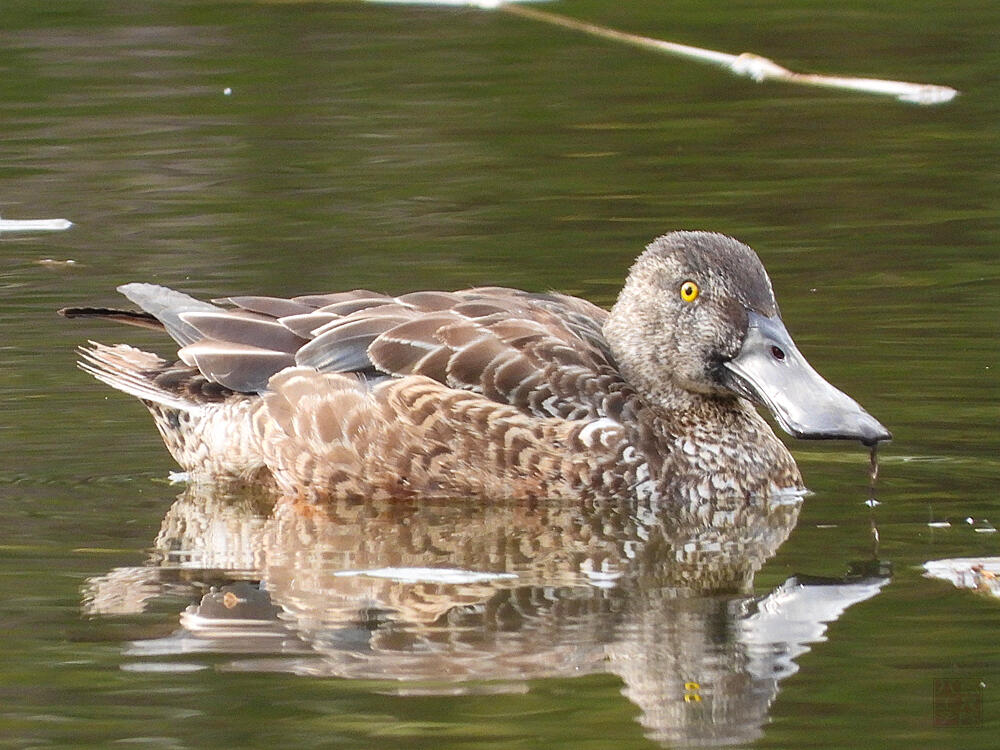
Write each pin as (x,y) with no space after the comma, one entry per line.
(697,317)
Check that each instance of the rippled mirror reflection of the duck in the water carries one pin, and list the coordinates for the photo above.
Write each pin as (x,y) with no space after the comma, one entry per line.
(454,597)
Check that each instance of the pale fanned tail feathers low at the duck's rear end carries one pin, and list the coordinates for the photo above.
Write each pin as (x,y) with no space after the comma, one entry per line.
(131,371)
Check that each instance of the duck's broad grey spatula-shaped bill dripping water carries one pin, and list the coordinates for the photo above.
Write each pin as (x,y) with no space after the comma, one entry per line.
(771,371)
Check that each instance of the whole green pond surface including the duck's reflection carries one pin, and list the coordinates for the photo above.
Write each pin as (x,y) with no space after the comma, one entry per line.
(399,148)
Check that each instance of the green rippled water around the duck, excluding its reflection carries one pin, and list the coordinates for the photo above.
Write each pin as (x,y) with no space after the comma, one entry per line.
(400,148)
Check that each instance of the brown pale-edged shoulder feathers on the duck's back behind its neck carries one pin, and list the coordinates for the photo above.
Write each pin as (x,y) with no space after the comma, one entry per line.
(543,353)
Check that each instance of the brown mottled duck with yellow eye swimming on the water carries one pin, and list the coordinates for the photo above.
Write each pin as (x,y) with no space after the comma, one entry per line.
(489,392)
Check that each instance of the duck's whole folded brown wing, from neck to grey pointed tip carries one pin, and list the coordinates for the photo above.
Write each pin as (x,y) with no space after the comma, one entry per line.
(543,353)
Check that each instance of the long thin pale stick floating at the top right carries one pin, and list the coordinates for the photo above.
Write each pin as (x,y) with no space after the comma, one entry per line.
(747,64)
